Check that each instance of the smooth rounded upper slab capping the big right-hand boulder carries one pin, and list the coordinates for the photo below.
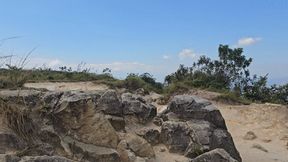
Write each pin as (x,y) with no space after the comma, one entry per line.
(191,107)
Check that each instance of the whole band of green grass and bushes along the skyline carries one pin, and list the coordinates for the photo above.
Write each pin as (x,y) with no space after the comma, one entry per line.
(229,75)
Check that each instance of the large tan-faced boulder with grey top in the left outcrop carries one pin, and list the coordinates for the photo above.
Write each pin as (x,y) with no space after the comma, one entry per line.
(75,115)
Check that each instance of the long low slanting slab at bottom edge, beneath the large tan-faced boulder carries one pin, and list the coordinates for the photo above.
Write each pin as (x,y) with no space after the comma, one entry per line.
(91,152)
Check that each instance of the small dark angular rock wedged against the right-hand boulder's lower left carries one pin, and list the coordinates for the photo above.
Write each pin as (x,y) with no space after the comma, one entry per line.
(150,135)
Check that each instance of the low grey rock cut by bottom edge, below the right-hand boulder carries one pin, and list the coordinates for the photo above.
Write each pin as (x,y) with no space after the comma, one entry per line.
(217,155)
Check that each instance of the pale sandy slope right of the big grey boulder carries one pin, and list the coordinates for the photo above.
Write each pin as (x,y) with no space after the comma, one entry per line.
(268,122)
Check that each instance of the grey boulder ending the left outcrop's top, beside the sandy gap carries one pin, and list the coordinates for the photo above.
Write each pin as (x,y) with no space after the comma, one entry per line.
(136,105)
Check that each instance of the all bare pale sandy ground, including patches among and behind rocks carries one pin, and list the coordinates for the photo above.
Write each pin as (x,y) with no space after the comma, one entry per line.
(269,122)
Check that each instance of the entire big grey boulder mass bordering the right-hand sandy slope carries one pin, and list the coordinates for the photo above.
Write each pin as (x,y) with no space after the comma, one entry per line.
(193,126)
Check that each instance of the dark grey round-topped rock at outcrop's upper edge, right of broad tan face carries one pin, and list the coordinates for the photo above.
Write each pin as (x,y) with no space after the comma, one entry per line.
(110,104)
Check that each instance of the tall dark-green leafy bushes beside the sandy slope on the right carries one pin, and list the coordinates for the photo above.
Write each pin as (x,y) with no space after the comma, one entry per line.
(229,74)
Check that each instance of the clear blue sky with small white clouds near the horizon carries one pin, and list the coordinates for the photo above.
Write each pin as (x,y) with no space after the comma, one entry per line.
(146,36)
